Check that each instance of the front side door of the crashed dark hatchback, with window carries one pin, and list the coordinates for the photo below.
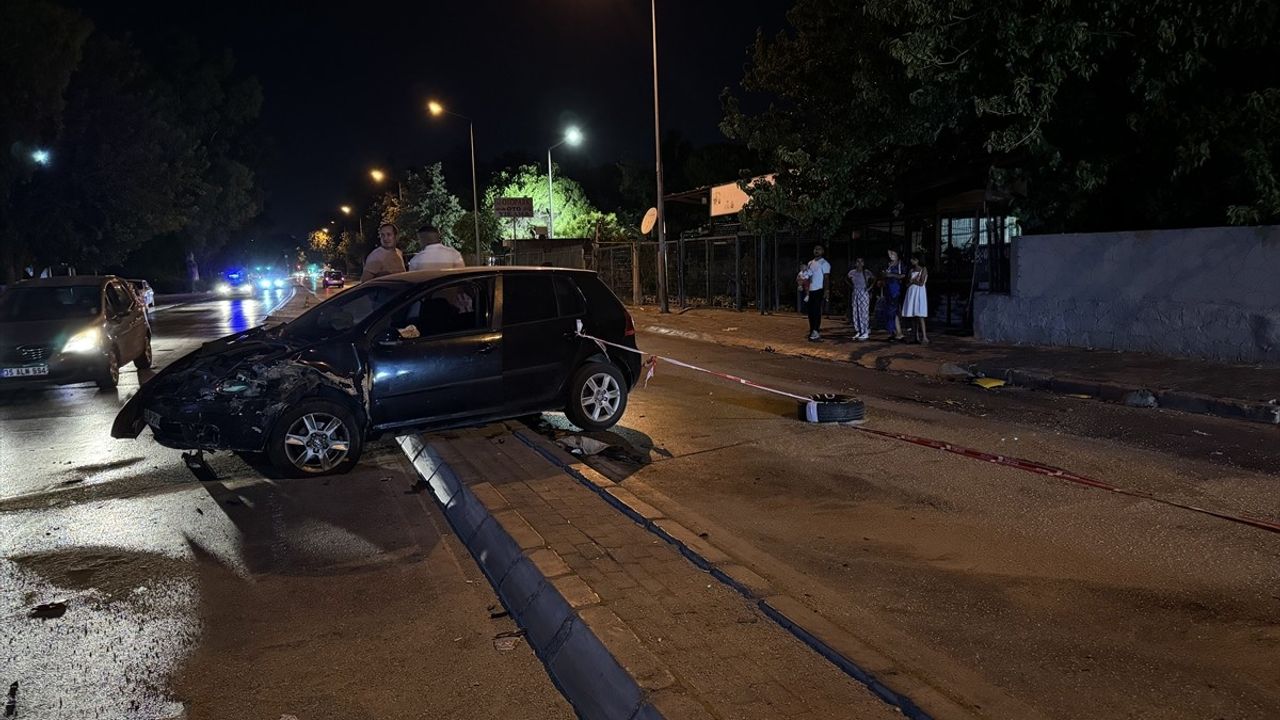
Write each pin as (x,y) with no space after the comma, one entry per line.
(437,358)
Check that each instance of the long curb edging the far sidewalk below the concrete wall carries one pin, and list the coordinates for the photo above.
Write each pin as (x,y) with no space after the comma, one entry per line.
(1183,402)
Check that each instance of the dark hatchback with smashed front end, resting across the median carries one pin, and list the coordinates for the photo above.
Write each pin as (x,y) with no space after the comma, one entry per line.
(424,350)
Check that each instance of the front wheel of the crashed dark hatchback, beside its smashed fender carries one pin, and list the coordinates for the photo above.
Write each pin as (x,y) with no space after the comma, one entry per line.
(316,438)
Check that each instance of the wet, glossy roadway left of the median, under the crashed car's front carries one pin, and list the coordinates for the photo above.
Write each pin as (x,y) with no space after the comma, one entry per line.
(246,598)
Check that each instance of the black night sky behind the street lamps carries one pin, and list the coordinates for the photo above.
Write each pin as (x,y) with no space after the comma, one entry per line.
(346,86)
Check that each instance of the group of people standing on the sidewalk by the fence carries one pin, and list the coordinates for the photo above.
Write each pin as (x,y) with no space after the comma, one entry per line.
(899,295)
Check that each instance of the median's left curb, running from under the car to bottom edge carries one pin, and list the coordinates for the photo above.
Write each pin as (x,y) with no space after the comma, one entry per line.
(584,671)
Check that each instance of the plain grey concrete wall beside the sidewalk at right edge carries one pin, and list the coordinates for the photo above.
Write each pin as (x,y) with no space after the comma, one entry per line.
(1204,293)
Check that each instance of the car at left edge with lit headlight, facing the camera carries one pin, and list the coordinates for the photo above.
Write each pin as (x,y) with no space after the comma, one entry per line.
(72,330)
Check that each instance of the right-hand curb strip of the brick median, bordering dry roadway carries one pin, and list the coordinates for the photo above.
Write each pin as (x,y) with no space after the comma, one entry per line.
(724,569)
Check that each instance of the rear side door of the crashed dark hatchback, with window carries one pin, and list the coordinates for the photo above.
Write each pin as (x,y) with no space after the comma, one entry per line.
(540,343)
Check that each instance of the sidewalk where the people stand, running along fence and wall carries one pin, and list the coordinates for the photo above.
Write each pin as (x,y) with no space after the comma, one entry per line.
(1244,393)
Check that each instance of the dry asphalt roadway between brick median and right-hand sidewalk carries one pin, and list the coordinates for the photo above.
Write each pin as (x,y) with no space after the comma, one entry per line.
(1012,594)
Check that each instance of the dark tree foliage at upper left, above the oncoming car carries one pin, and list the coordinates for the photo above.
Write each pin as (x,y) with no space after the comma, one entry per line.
(145,153)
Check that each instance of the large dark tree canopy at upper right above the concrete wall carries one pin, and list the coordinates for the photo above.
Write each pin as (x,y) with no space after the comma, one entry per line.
(1110,115)
